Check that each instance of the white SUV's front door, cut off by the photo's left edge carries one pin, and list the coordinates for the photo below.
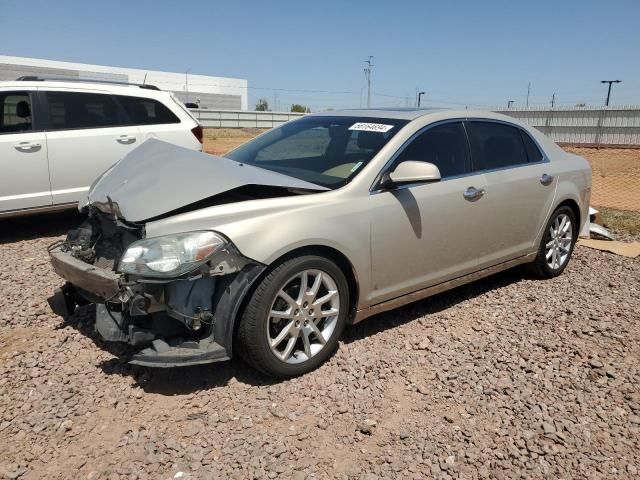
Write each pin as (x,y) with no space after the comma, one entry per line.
(24,173)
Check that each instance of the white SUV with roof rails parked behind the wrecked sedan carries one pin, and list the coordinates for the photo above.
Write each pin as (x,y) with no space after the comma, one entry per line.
(57,136)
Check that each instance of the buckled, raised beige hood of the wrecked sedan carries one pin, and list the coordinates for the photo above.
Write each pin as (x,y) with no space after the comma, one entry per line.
(159,177)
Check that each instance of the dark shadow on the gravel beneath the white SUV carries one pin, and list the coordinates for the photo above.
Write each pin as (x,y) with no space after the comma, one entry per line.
(14,230)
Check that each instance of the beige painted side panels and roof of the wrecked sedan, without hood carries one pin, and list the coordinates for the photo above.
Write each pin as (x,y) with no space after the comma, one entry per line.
(414,238)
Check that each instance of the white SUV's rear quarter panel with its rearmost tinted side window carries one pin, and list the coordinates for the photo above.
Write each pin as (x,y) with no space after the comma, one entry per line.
(155,120)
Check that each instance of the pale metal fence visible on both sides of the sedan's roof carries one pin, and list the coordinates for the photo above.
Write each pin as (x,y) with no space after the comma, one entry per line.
(587,126)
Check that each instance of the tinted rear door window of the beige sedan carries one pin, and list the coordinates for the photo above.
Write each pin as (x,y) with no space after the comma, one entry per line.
(495,145)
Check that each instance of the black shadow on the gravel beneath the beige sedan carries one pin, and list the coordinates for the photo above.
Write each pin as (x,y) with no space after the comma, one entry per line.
(188,380)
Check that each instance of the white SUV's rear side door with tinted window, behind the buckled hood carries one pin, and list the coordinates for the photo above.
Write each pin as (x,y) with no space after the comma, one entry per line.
(87,132)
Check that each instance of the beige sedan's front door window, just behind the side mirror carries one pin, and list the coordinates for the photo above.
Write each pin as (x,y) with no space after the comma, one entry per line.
(444,145)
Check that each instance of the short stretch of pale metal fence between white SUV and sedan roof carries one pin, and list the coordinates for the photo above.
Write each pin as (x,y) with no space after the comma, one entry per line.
(242,119)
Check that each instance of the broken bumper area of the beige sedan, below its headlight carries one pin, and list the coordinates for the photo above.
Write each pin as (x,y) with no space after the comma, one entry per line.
(156,317)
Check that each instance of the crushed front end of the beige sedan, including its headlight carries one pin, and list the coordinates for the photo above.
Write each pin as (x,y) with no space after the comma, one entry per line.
(174,298)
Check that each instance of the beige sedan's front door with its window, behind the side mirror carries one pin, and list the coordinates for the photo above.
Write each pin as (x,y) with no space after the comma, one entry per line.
(426,234)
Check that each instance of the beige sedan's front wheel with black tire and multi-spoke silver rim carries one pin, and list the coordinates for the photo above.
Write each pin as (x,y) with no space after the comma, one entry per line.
(295,316)
